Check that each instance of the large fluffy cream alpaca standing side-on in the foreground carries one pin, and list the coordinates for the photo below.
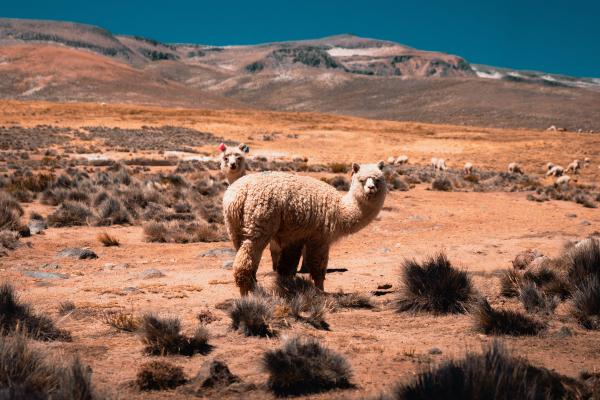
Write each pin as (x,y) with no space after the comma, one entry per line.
(287,209)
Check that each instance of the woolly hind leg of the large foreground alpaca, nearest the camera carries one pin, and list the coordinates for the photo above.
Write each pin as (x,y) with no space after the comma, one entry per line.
(246,263)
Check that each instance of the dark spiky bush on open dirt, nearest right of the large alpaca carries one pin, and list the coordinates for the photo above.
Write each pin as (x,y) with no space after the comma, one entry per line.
(434,286)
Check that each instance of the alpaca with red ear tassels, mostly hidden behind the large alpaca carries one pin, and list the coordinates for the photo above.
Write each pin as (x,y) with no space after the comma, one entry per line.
(234,166)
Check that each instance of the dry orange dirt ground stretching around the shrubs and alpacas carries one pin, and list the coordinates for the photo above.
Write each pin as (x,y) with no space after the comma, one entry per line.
(480,232)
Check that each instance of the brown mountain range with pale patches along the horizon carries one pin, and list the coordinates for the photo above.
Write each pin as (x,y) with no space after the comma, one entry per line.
(343,74)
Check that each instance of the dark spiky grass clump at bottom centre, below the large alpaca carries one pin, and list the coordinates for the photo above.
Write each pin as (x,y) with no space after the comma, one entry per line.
(303,366)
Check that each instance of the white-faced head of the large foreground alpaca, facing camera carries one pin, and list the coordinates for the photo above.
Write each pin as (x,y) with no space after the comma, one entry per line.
(368,182)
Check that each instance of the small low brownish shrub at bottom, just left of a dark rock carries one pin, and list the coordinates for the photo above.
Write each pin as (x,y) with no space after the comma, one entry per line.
(159,375)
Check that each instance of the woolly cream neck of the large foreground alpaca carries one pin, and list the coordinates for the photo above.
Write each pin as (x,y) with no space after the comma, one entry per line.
(356,214)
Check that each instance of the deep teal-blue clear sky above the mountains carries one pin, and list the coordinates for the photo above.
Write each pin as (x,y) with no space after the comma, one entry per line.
(552,36)
